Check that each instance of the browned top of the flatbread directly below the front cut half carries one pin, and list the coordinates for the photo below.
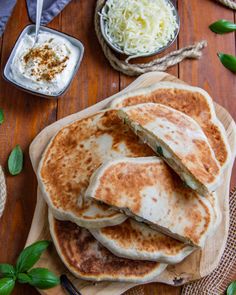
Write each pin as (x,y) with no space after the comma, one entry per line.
(126,234)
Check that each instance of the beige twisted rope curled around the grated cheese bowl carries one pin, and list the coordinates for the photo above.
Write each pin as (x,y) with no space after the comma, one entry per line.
(159,64)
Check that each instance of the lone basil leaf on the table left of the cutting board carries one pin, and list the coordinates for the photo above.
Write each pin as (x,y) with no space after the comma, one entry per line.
(15,161)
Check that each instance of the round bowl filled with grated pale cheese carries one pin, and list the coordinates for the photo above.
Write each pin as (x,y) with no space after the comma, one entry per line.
(139,27)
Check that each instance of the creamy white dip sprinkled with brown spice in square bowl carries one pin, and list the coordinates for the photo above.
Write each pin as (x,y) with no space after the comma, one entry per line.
(48,66)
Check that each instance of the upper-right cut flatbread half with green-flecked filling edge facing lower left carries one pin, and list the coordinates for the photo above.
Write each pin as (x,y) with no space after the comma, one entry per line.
(179,140)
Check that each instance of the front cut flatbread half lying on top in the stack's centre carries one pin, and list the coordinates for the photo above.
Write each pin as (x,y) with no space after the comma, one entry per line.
(149,191)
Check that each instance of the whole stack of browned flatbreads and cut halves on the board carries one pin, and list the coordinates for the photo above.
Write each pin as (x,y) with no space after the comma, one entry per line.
(131,188)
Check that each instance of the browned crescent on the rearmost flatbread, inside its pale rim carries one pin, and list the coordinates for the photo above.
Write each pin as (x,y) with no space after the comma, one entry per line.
(192,104)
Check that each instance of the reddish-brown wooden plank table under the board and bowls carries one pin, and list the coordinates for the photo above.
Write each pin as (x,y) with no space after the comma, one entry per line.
(26,115)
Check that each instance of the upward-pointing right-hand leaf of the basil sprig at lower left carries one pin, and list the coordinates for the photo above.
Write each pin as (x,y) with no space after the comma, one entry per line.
(30,255)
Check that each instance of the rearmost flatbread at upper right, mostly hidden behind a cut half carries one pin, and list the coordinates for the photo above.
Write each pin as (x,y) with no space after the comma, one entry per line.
(193,101)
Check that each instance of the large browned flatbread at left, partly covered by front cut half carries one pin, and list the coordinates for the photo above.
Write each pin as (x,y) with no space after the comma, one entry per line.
(71,157)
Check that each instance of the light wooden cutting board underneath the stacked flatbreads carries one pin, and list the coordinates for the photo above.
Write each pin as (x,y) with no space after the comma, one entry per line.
(197,265)
